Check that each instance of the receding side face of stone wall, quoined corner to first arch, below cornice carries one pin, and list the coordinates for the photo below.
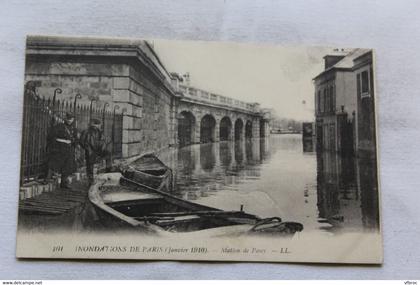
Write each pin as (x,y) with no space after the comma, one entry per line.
(148,126)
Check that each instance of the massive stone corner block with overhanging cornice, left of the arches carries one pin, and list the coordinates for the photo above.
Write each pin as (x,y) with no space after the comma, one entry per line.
(124,73)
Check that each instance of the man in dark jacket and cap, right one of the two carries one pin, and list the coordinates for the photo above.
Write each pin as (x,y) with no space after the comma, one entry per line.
(95,146)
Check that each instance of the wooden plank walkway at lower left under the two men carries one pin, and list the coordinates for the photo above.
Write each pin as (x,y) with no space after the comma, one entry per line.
(46,207)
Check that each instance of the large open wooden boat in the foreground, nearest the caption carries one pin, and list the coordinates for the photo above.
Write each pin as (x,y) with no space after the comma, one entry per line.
(123,201)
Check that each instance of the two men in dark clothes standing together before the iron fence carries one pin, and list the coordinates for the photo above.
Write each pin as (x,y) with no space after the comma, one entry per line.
(62,140)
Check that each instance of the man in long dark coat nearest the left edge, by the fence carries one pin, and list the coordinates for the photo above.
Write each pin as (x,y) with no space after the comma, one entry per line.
(61,144)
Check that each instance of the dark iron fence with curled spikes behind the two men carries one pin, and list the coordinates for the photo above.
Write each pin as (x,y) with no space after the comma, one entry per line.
(40,115)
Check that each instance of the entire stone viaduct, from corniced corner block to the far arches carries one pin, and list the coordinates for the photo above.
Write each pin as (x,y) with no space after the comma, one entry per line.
(161,110)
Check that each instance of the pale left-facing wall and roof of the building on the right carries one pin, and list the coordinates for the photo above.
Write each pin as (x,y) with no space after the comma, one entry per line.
(336,104)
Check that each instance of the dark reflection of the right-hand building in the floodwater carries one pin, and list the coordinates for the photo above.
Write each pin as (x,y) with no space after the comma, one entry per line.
(347,191)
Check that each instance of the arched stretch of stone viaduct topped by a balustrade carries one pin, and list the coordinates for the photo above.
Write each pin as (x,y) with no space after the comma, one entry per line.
(207,117)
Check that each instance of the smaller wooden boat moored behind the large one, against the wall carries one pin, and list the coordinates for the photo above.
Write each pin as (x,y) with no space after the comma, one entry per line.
(150,171)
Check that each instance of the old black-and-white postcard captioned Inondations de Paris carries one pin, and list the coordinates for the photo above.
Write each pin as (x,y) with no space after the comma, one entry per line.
(186,150)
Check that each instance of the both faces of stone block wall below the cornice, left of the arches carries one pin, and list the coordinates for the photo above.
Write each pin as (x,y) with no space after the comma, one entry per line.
(148,121)
